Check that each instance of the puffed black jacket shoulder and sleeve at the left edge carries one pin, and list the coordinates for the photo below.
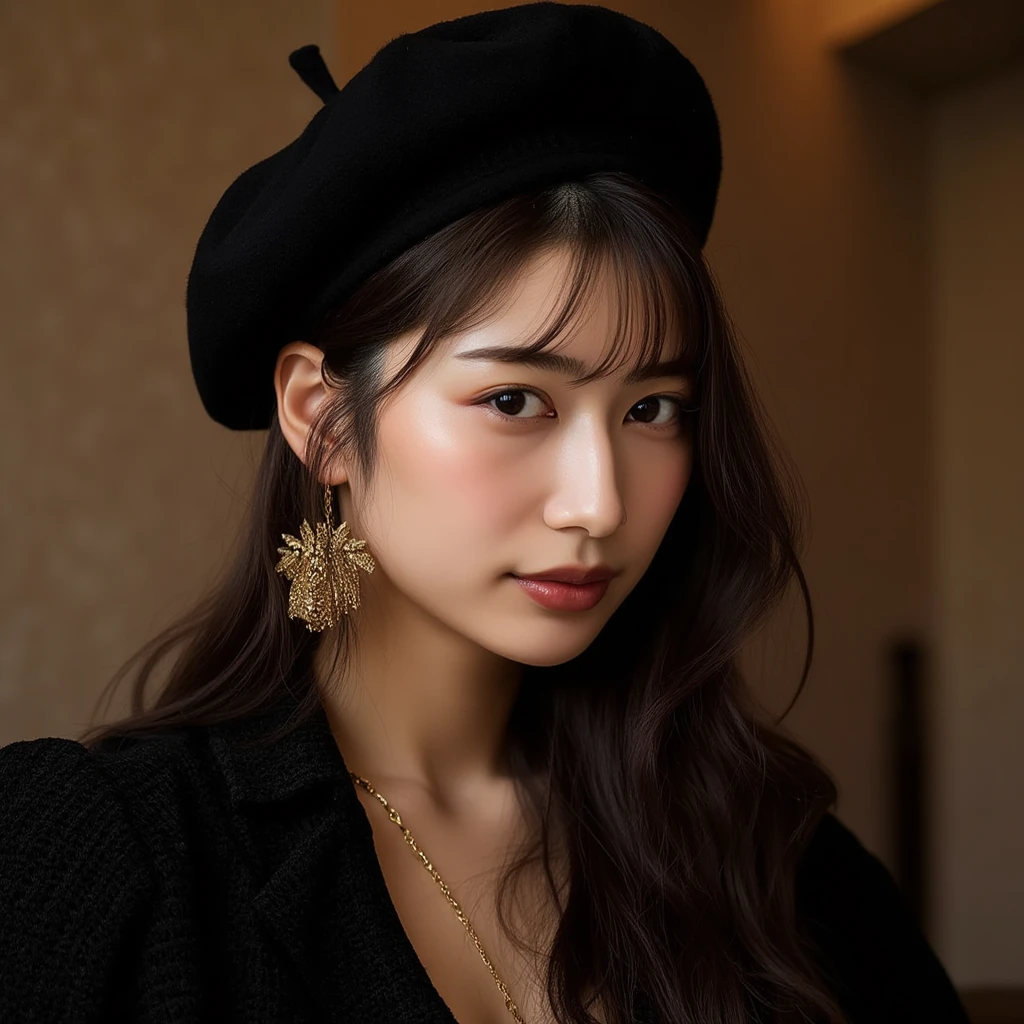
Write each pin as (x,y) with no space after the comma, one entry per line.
(75,881)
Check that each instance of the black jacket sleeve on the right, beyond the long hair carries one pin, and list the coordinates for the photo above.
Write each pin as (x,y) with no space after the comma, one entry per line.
(870,944)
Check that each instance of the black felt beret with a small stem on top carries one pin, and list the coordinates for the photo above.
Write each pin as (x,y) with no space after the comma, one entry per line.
(440,123)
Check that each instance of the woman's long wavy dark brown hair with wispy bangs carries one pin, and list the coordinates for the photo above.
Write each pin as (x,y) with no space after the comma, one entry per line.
(685,813)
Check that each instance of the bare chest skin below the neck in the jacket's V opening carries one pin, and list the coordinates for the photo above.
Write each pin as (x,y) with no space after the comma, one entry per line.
(470,857)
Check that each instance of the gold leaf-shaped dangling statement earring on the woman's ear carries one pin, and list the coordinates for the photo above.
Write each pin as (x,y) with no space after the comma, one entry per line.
(323,567)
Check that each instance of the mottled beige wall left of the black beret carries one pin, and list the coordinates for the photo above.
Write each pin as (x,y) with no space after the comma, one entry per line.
(123,123)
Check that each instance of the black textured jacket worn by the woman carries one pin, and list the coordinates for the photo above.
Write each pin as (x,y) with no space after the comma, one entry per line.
(181,879)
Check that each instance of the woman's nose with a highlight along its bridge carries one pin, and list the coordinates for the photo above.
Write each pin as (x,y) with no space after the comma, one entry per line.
(586,490)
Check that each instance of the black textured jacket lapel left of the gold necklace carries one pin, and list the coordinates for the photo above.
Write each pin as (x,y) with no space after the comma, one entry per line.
(319,891)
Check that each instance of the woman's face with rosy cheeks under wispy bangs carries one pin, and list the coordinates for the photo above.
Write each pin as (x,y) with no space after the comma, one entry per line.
(489,470)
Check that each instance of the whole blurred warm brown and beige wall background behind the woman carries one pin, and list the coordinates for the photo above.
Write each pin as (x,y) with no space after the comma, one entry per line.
(868,242)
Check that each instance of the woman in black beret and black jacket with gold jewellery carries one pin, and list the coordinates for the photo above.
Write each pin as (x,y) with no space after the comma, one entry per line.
(482,750)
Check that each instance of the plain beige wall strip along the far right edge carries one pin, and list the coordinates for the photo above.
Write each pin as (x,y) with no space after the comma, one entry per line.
(978,409)
